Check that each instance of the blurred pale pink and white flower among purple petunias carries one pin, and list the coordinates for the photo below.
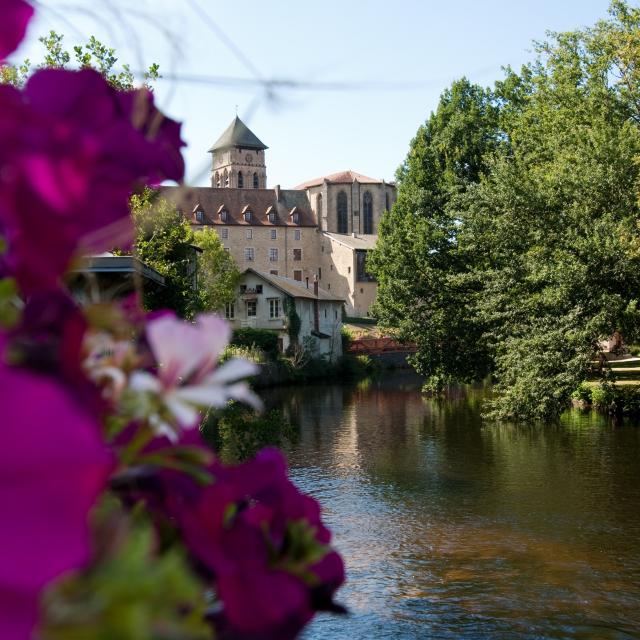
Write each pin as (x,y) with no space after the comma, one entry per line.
(188,377)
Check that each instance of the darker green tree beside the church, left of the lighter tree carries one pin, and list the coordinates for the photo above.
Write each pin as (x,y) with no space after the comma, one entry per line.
(425,286)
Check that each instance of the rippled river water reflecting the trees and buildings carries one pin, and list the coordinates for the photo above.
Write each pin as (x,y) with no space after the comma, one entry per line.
(452,528)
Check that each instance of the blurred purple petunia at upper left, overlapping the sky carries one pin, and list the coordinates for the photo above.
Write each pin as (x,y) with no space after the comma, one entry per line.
(72,149)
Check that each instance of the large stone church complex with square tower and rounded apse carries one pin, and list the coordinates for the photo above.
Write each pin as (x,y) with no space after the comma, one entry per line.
(319,231)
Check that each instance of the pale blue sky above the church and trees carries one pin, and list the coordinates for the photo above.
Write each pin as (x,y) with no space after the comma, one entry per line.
(313,132)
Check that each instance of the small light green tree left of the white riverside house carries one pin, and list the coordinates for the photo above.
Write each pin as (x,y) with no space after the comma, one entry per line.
(217,272)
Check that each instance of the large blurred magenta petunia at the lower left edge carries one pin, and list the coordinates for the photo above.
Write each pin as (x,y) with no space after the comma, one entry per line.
(53,467)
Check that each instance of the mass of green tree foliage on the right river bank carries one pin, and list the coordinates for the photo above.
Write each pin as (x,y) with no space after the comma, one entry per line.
(514,245)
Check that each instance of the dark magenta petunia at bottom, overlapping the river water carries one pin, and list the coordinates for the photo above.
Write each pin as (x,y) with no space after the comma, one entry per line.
(263,542)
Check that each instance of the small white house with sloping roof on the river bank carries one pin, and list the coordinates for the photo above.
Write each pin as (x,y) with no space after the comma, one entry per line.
(267,301)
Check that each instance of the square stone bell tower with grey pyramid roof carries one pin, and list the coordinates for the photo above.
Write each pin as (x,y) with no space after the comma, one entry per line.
(237,159)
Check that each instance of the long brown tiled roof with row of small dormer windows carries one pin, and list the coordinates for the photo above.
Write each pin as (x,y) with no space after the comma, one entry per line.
(212,201)
